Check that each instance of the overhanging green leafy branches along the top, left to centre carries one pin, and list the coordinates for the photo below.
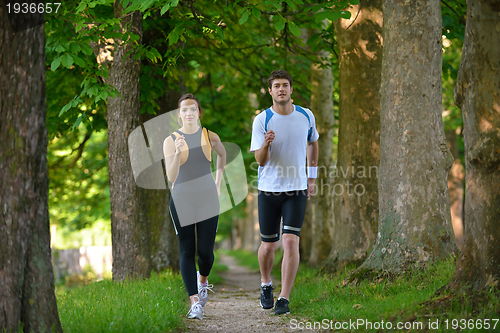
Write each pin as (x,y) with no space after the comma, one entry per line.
(80,26)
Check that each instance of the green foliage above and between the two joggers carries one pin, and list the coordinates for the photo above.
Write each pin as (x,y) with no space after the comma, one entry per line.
(226,71)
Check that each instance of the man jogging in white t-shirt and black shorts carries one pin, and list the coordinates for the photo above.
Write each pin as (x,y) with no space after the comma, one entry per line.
(282,137)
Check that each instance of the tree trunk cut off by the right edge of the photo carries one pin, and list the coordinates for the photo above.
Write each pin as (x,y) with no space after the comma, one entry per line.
(477,95)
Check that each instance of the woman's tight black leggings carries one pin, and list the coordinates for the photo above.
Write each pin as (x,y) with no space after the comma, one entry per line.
(205,238)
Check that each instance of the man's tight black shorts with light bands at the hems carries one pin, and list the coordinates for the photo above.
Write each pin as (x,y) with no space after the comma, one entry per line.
(274,205)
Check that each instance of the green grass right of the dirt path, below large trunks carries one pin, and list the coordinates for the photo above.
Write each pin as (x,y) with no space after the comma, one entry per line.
(326,301)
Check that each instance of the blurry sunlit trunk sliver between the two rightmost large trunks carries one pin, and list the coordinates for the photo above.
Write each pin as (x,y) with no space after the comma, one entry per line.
(456,190)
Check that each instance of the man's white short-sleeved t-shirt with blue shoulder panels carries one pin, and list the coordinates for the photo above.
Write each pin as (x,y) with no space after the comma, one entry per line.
(286,170)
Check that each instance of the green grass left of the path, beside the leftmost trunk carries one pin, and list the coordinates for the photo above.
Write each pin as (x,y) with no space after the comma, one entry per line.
(154,305)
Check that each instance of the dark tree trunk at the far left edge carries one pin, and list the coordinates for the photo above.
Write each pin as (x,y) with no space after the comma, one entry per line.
(27,295)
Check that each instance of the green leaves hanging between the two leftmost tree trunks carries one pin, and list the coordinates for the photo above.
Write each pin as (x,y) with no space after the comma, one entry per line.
(72,61)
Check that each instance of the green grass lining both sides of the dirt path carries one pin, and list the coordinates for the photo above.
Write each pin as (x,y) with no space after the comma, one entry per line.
(160,303)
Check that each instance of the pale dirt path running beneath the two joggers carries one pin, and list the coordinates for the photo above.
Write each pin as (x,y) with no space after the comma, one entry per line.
(234,307)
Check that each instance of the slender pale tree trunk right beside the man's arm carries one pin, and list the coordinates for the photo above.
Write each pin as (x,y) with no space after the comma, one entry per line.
(321,212)
